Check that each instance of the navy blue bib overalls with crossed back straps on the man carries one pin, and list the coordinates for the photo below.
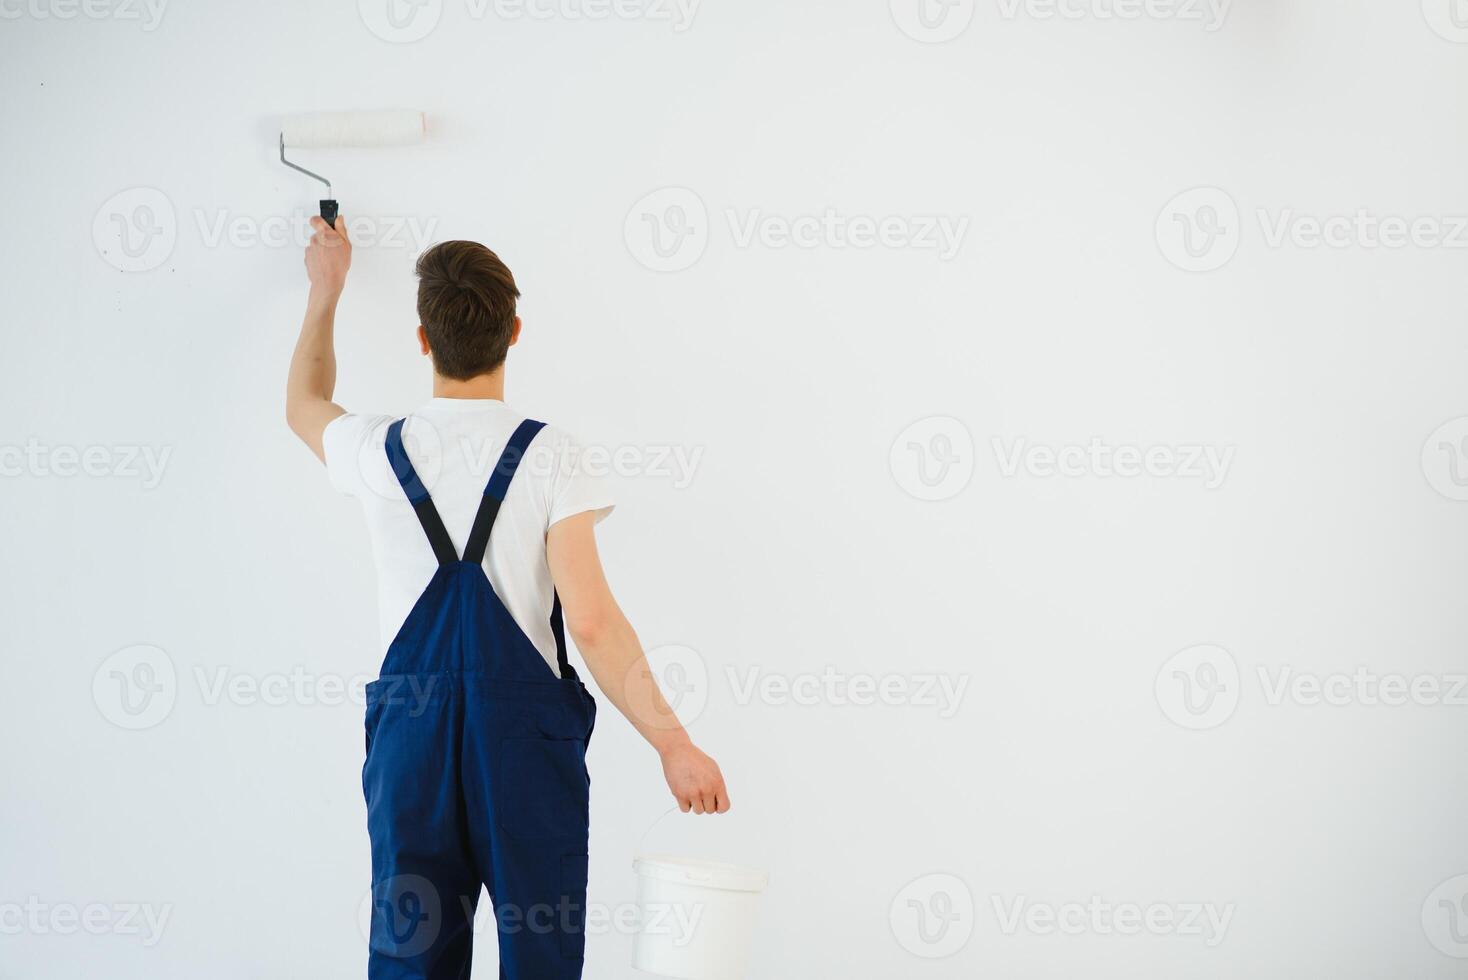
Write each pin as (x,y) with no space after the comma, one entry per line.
(476,769)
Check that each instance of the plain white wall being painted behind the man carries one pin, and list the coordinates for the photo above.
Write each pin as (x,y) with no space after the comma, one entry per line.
(1122,740)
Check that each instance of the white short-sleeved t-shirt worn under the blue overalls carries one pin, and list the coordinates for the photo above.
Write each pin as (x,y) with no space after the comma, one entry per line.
(454,445)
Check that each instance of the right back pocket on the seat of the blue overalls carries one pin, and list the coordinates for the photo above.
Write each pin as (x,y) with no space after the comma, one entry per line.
(544,791)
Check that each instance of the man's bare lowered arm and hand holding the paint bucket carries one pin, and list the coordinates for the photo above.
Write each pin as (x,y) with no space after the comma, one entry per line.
(614,655)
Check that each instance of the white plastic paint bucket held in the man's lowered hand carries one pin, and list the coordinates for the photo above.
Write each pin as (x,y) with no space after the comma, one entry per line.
(697,918)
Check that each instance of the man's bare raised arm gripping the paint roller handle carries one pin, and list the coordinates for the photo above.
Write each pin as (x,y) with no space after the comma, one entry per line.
(309,404)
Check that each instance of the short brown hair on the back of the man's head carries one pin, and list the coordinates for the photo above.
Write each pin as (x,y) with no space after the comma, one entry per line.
(468,307)
